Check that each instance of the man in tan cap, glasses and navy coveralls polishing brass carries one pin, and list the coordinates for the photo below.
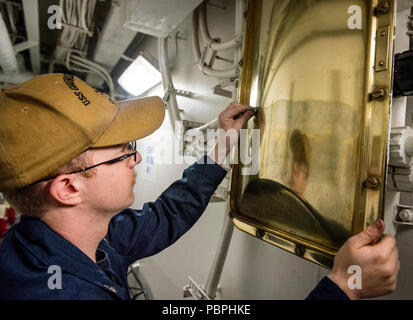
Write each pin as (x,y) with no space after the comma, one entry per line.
(67,164)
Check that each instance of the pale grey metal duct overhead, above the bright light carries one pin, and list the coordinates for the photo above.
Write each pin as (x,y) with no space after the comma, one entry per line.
(158,17)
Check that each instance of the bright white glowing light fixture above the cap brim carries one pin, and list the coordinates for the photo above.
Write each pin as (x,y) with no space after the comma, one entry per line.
(139,77)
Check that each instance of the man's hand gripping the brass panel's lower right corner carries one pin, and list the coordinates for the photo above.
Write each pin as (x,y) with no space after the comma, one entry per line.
(378,261)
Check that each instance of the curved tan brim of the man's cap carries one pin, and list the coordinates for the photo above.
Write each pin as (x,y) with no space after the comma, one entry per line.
(137,118)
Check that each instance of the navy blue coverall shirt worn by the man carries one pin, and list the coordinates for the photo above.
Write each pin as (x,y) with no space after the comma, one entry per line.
(31,250)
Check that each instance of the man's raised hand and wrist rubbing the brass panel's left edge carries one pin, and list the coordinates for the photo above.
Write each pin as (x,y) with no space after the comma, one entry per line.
(230,122)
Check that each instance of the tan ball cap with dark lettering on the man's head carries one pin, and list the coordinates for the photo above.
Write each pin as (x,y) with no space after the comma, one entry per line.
(51,119)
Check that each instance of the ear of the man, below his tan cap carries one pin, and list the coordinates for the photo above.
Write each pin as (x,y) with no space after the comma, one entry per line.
(65,189)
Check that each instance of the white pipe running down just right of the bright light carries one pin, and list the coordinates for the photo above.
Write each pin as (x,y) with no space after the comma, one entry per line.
(168,86)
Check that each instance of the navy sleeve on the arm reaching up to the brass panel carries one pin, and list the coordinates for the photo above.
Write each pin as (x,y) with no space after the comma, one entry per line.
(136,234)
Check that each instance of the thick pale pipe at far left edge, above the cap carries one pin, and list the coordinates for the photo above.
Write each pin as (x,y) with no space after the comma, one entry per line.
(8,60)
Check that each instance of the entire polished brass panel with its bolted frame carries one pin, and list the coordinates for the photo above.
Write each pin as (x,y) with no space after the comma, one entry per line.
(323,115)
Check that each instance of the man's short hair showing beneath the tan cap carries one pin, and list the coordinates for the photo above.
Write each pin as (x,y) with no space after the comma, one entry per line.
(31,200)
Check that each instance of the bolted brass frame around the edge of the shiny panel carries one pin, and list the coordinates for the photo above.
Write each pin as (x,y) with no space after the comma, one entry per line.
(372,160)
